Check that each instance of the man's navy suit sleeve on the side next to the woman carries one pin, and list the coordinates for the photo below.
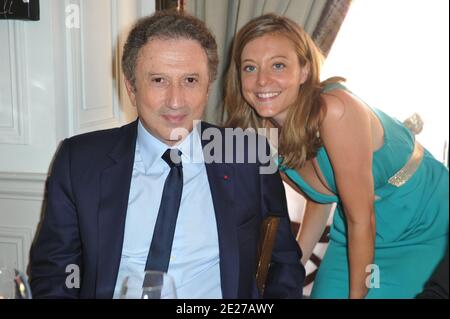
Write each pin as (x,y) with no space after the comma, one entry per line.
(286,273)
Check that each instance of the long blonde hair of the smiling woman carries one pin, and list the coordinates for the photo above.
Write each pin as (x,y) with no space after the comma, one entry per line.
(299,138)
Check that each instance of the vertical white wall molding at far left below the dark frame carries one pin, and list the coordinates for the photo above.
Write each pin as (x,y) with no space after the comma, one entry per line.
(18,131)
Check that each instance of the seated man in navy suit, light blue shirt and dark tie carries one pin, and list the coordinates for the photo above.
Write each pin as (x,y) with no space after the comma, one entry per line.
(107,190)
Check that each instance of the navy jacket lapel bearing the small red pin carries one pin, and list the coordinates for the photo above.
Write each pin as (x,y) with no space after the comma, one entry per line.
(220,177)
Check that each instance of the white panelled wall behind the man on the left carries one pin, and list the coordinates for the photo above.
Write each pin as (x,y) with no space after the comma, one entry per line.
(55,82)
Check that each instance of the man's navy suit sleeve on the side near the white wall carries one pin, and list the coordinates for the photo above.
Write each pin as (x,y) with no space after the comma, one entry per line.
(57,246)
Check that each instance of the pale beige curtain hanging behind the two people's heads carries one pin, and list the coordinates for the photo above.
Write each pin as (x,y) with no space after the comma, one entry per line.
(226,17)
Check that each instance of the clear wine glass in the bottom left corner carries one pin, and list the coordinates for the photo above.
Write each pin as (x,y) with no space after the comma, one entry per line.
(13,284)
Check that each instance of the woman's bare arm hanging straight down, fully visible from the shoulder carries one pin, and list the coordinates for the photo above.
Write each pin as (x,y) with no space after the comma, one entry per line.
(347,135)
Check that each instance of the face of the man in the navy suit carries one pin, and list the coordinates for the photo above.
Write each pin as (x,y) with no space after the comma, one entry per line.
(172,84)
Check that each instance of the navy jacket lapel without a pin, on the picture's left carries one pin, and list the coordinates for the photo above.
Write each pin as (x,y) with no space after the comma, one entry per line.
(115,184)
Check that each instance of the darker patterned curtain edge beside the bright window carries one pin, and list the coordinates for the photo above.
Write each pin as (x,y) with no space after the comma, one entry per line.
(329,24)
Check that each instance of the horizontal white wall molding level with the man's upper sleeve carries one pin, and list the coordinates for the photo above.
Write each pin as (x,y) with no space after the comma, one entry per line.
(22,186)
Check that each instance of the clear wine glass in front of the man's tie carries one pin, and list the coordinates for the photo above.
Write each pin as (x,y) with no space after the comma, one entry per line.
(152,285)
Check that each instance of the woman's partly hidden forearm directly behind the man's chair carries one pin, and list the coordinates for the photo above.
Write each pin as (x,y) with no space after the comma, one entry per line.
(314,221)
